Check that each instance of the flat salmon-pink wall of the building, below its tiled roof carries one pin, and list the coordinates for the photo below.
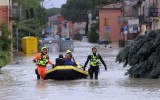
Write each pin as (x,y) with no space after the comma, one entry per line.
(112,16)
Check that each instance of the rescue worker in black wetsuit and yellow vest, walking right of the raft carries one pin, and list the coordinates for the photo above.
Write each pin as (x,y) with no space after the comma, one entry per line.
(94,63)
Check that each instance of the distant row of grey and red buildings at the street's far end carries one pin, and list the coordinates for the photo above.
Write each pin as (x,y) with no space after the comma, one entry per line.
(64,28)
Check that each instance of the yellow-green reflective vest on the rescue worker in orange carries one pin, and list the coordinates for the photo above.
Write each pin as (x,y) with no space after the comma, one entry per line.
(43,61)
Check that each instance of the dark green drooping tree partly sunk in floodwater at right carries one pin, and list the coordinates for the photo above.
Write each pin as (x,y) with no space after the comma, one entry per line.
(143,56)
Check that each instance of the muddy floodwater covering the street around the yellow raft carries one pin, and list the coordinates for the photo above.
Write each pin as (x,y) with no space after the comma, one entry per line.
(18,81)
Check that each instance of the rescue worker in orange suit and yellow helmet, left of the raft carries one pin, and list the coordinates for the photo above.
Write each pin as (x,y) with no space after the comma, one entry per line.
(41,60)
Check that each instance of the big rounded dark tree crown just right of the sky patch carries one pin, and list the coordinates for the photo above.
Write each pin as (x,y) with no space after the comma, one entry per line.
(76,10)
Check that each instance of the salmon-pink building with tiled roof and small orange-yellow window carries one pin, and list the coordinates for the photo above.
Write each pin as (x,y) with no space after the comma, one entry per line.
(109,22)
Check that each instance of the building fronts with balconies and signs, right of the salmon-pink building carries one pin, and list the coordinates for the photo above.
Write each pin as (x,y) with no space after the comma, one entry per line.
(144,19)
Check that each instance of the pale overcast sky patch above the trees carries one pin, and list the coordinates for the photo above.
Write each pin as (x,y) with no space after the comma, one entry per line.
(54,3)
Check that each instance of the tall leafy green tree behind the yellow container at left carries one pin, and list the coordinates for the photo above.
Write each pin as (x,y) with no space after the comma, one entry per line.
(29,22)
